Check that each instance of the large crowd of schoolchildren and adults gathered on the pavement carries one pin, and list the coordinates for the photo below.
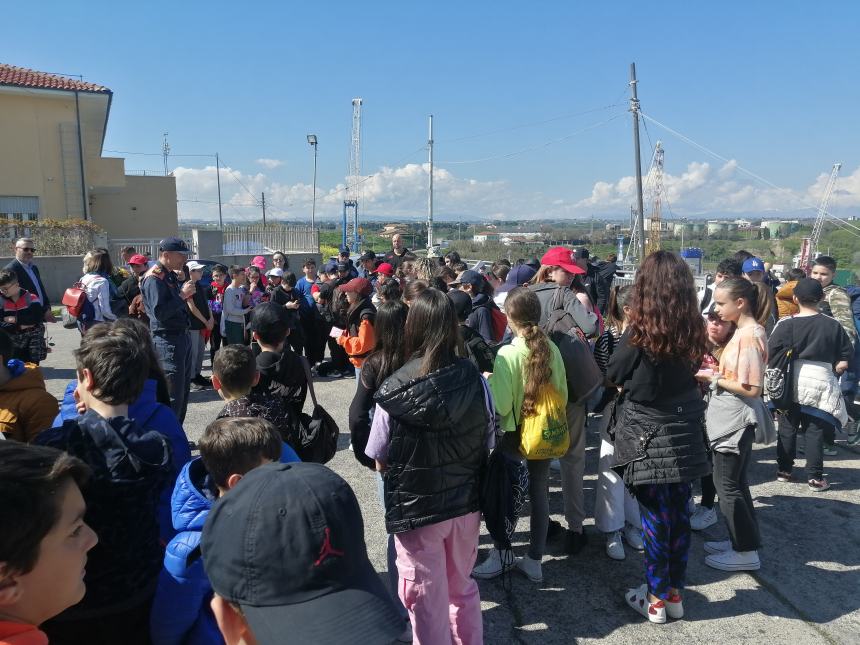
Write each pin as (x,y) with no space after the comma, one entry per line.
(117,529)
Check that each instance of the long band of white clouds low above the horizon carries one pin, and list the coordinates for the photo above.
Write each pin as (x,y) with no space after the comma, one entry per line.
(699,190)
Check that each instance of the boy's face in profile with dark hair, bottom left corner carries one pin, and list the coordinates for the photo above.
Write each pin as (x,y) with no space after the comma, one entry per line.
(44,540)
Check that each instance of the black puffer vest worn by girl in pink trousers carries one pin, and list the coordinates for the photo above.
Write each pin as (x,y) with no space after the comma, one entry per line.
(437,448)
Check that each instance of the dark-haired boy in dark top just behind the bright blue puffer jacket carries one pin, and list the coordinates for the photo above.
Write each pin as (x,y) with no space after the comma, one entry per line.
(234,375)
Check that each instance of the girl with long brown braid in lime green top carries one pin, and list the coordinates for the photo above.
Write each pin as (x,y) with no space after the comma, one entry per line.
(521,372)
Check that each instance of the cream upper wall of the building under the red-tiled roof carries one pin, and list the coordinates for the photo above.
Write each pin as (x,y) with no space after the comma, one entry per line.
(30,163)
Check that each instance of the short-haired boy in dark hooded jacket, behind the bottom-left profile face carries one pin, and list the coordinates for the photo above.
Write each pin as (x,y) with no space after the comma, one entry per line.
(130,467)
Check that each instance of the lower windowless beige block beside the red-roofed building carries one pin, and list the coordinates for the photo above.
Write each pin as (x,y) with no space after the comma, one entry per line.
(145,208)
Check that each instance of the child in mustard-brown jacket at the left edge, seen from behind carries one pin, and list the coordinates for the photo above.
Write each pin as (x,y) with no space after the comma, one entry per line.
(26,408)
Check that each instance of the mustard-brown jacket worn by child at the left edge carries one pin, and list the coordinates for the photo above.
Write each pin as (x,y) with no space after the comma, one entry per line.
(25,407)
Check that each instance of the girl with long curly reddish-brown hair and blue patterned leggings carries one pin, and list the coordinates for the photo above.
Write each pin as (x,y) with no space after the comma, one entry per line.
(660,442)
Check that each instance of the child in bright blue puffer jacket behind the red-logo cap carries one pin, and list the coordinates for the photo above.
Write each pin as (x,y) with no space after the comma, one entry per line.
(229,448)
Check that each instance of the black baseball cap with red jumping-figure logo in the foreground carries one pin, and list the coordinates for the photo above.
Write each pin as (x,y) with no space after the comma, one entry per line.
(287,546)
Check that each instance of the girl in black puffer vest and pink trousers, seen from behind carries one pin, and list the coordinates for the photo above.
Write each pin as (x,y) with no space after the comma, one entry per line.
(429,438)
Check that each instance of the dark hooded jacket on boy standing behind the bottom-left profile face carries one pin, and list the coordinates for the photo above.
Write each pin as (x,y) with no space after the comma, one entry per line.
(130,468)
